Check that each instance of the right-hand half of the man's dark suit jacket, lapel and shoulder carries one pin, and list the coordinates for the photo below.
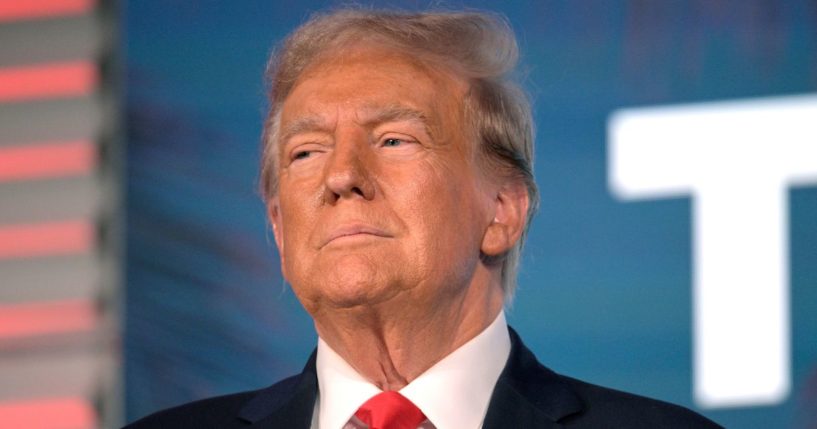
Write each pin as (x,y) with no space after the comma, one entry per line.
(528,394)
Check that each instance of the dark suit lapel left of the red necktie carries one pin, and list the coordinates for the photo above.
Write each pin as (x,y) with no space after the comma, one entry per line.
(286,404)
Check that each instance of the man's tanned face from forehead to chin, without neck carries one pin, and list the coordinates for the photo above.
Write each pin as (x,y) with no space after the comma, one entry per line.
(379,197)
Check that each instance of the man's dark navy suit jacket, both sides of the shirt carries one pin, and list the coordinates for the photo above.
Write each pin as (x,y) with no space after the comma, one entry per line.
(527,395)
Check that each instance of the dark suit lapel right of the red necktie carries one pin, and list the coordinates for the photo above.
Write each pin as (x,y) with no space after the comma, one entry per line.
(529,395)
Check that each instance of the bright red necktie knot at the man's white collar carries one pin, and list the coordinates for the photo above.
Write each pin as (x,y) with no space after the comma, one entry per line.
(390,410)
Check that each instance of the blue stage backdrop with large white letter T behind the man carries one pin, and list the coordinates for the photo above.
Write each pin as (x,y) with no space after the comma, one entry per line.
(606,289)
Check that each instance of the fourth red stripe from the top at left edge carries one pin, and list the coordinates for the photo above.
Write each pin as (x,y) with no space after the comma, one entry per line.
(54,238)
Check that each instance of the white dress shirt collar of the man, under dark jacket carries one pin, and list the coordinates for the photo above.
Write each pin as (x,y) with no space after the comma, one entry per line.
(453,394)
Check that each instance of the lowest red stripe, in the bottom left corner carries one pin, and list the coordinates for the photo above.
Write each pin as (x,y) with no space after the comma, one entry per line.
(50,413)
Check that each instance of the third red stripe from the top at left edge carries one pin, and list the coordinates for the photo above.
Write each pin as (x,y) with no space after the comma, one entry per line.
(45,160)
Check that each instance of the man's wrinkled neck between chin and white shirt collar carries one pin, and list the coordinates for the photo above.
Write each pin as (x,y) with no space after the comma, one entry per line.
(393,343)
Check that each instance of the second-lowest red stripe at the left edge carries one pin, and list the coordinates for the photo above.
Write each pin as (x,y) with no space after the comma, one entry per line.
(61,317)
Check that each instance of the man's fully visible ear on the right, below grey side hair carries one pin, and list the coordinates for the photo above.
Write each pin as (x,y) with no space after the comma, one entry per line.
(511,210)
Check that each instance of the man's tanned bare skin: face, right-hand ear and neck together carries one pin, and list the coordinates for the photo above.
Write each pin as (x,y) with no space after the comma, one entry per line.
(382,213)
